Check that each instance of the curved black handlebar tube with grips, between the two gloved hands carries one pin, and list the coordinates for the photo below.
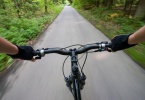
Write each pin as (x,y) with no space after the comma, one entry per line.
(103,46)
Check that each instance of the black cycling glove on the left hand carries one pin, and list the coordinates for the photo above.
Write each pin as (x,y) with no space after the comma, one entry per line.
(25,53)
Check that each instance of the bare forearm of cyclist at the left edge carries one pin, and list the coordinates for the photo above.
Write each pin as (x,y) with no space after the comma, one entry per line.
(7,47)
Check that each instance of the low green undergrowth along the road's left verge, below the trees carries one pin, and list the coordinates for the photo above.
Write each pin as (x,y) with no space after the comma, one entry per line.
(22,31)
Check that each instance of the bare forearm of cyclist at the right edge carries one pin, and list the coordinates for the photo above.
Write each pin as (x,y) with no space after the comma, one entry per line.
(137,37)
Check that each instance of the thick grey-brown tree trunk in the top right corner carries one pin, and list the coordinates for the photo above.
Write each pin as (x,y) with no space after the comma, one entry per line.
(140,12)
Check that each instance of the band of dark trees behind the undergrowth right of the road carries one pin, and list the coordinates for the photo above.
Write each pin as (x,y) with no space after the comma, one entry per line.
(129,7)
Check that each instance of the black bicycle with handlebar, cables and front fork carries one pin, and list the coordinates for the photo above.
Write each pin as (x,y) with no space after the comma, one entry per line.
(76,80)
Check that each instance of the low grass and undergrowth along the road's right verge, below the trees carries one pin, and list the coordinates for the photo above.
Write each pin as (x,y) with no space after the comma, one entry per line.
(113,22)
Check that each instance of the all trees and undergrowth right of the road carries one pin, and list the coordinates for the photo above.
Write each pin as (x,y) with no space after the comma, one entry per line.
(115,17)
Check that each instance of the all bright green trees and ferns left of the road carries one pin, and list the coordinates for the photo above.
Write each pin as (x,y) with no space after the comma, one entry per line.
(21,21)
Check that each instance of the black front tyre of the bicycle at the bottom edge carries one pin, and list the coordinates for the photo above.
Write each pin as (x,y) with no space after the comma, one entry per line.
(76,90)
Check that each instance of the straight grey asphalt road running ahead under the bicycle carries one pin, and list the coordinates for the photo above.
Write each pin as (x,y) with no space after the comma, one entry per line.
(110,76)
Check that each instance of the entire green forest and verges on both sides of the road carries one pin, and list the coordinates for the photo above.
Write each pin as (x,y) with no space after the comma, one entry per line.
(24,20)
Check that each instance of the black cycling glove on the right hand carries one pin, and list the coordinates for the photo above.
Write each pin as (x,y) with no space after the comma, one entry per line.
(120,42)
